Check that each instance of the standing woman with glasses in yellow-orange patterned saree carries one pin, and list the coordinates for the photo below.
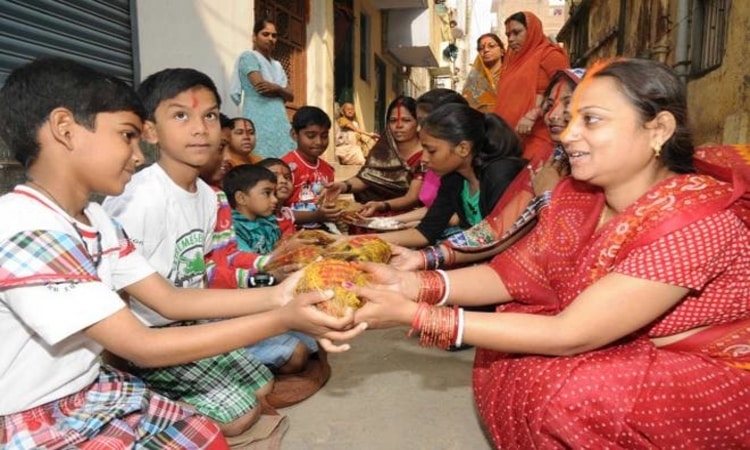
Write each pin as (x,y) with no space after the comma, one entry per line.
(480,89)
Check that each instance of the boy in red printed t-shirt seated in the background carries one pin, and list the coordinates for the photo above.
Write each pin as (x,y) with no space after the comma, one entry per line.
(310,174)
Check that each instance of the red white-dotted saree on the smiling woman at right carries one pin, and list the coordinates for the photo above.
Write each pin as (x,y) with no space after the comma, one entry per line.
(631,394)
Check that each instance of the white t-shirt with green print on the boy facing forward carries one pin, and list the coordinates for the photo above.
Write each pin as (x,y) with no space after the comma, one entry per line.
(170,226)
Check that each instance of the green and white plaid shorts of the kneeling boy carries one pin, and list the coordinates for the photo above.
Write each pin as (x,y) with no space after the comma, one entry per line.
(221,387)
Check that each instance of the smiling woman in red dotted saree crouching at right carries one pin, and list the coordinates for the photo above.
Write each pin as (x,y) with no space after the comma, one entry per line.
(623,311)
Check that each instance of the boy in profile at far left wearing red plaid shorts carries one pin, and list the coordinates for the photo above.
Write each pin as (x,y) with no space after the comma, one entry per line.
(62,260)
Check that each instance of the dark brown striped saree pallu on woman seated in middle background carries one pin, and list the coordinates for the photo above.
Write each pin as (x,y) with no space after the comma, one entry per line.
(385,173)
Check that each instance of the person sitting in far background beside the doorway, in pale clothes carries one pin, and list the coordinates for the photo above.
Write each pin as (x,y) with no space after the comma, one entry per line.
(352,143)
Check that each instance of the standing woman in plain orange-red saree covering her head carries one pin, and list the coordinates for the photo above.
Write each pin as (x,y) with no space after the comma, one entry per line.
(527,69)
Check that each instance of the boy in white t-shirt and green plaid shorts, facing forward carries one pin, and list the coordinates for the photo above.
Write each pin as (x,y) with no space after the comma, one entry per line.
(170,213)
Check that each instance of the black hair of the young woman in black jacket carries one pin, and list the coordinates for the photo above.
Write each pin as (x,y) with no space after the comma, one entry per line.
(490,136)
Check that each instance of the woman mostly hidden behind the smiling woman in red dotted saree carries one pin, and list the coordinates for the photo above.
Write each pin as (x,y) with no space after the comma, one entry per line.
(515,212)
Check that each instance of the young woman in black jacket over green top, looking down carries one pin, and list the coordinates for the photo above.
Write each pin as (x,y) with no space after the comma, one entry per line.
(477,156)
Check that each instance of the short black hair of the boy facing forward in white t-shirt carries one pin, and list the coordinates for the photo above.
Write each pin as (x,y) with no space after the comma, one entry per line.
(169,83)
